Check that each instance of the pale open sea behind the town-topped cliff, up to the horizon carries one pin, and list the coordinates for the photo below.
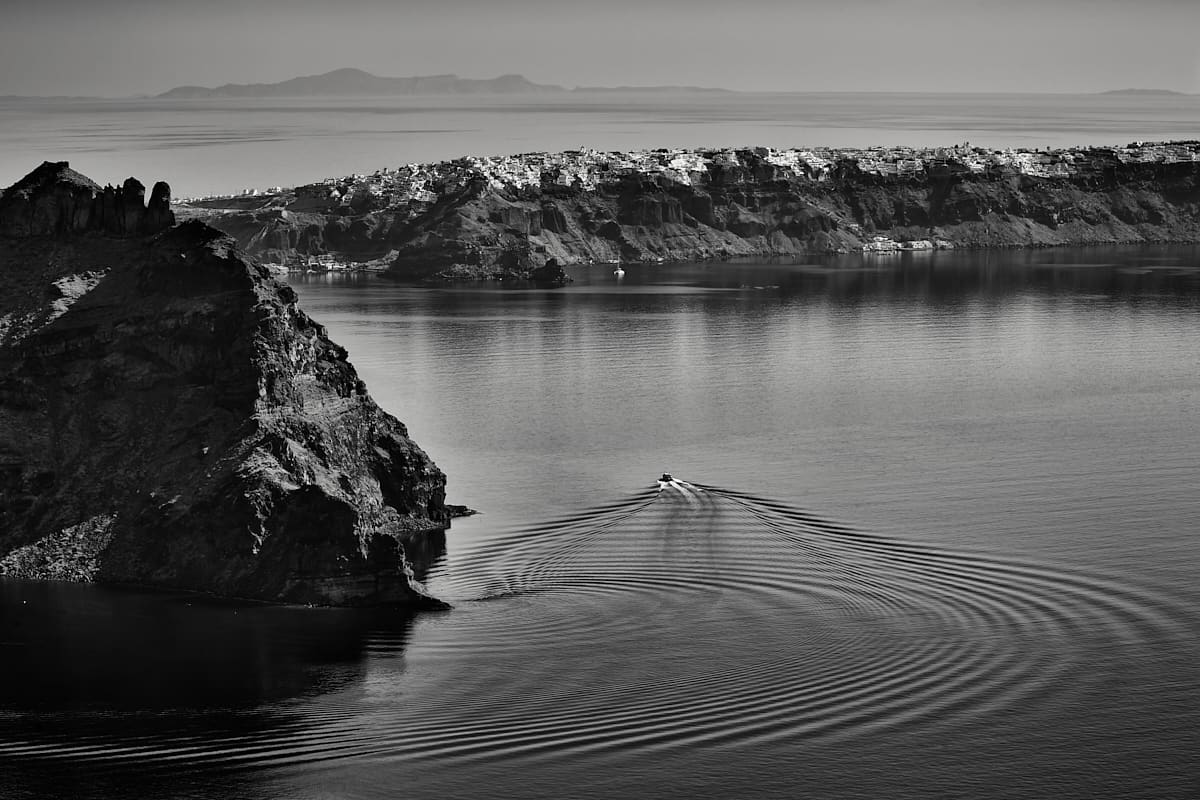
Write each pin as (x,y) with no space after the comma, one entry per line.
(219,147)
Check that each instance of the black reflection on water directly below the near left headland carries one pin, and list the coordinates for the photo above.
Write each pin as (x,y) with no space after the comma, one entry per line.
(99,649)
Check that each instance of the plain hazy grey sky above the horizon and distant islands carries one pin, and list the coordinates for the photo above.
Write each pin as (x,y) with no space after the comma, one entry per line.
(125,47)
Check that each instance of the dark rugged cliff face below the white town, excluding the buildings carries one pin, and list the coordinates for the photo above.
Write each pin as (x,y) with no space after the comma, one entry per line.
(751,207)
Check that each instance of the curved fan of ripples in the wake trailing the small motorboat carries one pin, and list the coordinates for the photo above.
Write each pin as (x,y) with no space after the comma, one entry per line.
(691,616)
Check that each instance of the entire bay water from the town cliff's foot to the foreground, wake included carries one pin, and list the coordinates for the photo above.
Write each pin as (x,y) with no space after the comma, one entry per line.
(934,533)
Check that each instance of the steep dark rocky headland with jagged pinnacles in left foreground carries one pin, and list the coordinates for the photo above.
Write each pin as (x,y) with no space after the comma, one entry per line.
(170,418)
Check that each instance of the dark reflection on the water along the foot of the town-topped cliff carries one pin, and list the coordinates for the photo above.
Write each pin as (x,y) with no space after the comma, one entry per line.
(1119,274)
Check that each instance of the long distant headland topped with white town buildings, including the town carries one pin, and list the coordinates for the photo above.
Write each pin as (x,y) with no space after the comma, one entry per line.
(526,218)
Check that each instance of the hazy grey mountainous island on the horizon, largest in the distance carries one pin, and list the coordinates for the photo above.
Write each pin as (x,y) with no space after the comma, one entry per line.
(350,82)
